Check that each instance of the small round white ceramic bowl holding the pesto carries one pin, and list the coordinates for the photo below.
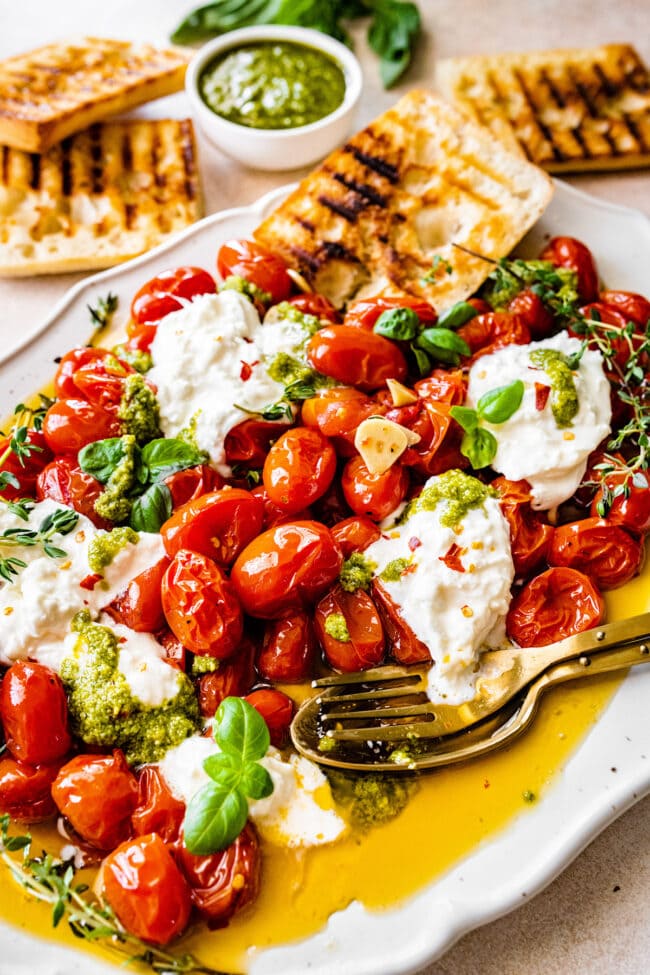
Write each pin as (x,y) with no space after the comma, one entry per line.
(276,149)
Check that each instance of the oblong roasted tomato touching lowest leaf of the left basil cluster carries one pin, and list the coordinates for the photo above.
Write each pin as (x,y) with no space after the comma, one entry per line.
(218,525)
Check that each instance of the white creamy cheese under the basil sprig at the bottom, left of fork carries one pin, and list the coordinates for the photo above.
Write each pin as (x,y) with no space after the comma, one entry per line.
(298,813)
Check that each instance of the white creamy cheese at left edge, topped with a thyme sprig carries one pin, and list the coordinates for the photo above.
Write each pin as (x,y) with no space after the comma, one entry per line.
(36,607)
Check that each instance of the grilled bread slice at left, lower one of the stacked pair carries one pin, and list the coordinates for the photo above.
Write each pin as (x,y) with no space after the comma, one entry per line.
(97,198)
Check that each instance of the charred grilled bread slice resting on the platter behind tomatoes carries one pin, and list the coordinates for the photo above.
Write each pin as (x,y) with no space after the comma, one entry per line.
(382,214)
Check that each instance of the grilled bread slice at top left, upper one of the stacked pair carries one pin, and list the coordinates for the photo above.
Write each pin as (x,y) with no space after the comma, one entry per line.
(48,94)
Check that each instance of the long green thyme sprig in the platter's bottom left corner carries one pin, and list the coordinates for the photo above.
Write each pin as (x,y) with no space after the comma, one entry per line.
(52,880)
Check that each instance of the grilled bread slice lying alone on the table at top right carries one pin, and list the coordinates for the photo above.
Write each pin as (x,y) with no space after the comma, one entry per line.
(565,110)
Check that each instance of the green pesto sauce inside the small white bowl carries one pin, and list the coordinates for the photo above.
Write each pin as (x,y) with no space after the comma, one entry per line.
(272,85)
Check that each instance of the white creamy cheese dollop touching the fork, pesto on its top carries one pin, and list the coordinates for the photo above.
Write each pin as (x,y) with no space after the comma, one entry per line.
(456,614)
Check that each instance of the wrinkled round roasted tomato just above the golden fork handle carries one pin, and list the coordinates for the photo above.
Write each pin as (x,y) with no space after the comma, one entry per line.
(558,603)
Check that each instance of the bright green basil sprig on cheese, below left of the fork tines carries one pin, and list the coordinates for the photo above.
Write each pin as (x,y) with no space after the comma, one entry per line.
(217,813)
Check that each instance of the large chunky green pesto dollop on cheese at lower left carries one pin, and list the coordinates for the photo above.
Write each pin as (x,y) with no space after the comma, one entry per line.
(103,711)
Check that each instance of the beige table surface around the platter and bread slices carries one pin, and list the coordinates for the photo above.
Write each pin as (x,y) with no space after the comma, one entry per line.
(593,920)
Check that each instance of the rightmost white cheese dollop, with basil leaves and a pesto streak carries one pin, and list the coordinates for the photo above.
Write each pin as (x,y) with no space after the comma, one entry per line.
(531,446)
